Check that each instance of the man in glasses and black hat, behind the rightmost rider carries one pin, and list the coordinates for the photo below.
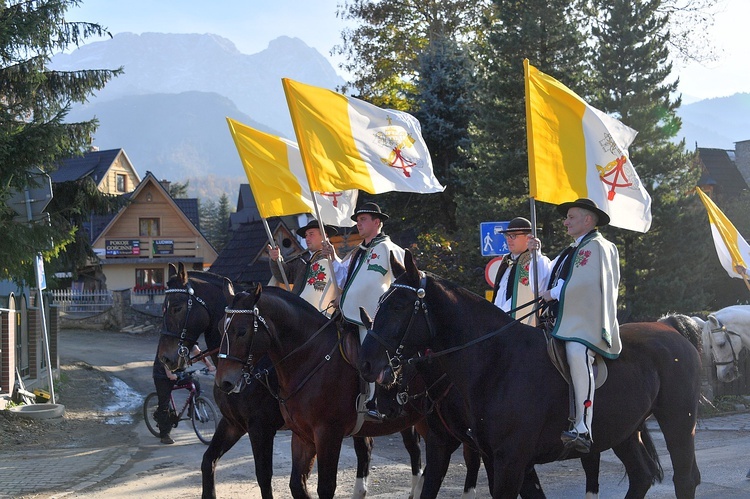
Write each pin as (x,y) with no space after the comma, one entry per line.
(513,285)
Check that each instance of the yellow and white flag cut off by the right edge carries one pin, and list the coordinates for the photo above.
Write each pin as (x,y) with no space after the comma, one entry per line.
(731,247)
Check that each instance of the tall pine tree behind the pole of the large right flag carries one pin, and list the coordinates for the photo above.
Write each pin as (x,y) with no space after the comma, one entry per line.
(550,34)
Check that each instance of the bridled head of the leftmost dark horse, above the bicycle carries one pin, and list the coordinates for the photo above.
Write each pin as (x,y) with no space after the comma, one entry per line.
(187,313)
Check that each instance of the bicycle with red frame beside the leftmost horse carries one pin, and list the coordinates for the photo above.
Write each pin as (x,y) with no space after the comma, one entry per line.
(197,408)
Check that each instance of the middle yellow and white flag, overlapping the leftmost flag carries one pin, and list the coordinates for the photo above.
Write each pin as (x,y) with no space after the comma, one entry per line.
(347,143)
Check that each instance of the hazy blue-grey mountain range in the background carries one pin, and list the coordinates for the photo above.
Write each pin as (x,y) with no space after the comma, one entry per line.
(168,110)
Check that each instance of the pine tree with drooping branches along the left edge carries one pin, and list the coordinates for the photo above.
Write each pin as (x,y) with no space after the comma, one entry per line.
(33,104)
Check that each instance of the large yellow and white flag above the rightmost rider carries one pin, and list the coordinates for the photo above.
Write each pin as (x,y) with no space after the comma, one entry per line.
(577,151)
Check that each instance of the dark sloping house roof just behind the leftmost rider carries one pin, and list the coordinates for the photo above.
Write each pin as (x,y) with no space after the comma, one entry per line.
(243,258)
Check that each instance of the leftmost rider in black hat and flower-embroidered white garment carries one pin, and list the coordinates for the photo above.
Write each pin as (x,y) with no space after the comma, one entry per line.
(312,272)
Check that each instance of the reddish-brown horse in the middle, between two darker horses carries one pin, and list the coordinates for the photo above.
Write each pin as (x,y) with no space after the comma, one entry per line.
(318,386)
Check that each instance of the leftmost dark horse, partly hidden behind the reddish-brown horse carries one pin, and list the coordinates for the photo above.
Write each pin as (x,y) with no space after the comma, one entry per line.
(194,305)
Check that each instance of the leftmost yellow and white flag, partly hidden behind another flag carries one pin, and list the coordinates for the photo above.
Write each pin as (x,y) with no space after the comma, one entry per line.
(277,178)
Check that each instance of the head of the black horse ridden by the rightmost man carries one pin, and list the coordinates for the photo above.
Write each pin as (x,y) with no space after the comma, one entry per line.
(400,328)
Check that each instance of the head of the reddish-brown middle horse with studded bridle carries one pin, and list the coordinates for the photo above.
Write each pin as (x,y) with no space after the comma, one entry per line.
(243,339)
